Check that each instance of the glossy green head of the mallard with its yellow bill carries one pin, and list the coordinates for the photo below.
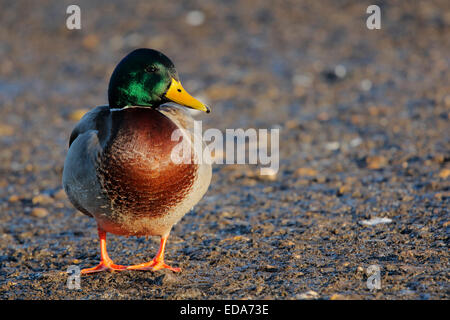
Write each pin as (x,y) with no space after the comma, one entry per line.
(146,77)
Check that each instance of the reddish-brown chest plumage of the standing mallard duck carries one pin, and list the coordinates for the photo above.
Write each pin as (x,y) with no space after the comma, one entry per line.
(135,170)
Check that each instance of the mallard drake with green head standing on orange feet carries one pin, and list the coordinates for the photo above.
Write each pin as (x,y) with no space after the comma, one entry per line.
(119,168)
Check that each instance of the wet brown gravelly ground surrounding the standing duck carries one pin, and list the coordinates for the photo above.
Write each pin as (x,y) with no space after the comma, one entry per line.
(364,135)
